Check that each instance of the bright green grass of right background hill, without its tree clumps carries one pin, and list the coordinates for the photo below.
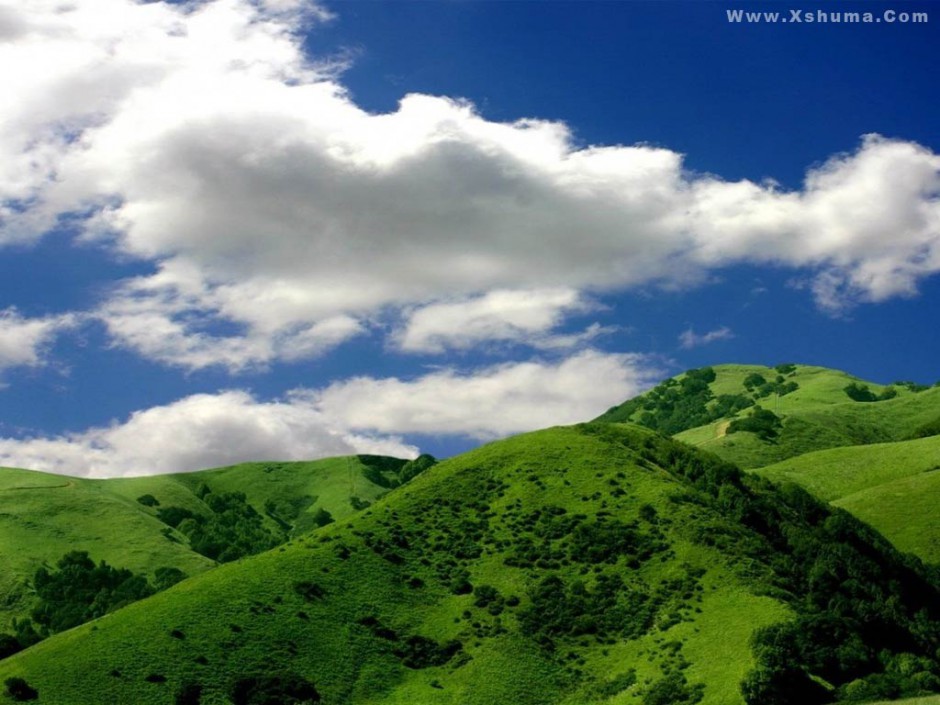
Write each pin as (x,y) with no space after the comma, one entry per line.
(854,454)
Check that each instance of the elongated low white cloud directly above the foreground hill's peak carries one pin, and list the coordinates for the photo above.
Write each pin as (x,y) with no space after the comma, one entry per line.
(490,402)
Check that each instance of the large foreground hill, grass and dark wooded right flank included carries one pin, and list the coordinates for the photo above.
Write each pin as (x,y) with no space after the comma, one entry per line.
(593,564)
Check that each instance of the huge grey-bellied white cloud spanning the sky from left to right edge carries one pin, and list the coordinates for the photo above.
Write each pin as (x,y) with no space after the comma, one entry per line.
(199,137)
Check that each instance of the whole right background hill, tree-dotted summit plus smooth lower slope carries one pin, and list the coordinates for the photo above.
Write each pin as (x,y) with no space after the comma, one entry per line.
(871,449)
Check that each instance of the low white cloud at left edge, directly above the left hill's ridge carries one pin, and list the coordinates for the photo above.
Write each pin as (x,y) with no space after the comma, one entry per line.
(193,433)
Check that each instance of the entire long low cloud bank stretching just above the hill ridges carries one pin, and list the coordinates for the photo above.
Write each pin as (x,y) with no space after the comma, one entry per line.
(361,415)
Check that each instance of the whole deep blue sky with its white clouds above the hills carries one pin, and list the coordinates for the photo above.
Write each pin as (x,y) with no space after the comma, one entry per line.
(235,230)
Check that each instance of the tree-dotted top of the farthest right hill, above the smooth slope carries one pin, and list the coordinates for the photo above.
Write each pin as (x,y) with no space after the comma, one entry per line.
(813,408)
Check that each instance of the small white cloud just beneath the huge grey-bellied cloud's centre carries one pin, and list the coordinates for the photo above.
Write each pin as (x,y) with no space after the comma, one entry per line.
(501,315)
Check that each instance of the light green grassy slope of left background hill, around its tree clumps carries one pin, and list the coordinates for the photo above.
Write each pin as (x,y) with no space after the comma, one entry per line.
(43,516)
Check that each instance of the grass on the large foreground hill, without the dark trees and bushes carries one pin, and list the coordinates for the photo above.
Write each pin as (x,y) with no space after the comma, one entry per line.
(393,563)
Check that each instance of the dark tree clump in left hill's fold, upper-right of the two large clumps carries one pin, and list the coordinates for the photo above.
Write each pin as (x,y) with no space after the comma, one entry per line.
(231,528)
